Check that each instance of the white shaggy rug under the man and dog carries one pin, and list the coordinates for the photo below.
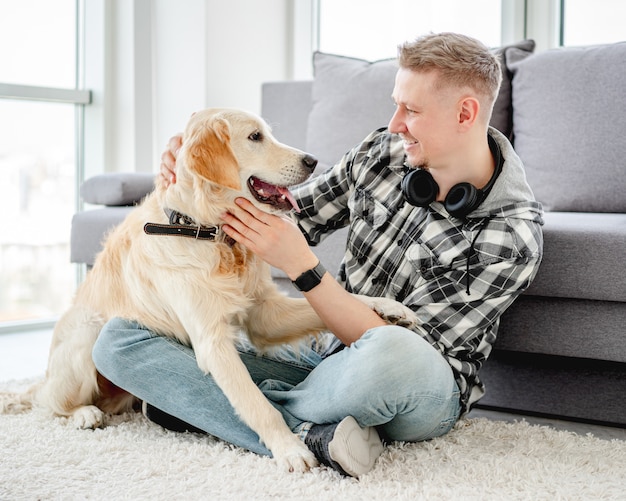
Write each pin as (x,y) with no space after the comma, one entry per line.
(46,459)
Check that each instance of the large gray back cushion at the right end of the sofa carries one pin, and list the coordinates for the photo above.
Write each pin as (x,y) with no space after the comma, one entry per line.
(569,118)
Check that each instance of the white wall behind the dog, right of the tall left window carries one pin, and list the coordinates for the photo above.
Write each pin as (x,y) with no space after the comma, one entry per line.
(151,63)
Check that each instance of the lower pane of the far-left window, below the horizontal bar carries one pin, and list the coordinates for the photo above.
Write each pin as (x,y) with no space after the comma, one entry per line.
(37,166)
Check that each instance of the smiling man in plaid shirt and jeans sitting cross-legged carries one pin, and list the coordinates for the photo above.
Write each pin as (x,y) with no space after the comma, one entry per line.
(441,219)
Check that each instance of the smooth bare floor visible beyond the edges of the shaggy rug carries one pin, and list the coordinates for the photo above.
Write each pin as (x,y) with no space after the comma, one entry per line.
(24,355)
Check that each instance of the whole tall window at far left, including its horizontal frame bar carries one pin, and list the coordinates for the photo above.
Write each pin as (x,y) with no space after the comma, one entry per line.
(39,116)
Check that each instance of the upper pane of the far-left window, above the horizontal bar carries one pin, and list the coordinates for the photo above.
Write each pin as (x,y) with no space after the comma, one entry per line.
(38,42)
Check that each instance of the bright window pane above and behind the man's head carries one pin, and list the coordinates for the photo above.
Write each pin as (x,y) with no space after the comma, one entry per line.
(372,29)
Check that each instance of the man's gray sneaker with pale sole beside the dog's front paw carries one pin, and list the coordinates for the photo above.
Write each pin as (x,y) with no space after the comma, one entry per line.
(345,446)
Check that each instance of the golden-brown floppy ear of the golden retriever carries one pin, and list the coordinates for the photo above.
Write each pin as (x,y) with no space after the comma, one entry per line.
(210,155)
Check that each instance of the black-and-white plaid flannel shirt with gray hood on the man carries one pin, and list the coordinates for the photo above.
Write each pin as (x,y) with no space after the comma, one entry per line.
(425,258)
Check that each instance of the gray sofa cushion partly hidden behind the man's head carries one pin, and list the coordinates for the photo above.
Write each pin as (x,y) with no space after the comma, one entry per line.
(352,97)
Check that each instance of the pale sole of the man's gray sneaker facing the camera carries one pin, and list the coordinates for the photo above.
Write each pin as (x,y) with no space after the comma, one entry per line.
(354,448)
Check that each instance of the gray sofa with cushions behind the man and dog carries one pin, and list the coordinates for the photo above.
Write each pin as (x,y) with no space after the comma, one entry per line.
(561,348)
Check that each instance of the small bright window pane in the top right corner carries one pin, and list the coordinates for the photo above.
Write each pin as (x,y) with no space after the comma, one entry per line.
(597,22)
